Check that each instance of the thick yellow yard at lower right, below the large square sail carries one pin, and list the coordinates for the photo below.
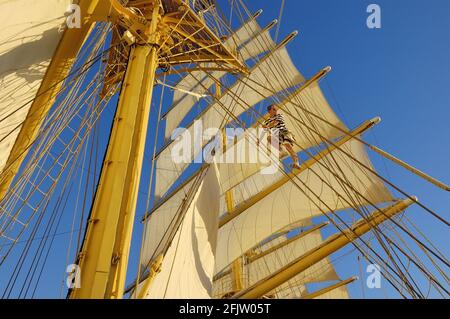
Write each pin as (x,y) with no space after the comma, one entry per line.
(329,246)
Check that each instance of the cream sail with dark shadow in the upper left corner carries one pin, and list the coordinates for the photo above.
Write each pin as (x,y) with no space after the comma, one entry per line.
(29,37)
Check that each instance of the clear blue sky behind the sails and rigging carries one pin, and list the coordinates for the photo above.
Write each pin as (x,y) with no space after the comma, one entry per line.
(400,72)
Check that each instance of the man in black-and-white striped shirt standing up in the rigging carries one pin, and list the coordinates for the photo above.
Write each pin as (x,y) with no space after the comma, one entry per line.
(276,126)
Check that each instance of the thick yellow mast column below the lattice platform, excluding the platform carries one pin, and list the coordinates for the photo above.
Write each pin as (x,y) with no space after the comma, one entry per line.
(115,202)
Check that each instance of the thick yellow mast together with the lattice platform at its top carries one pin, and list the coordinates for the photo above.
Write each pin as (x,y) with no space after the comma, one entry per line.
(104,255)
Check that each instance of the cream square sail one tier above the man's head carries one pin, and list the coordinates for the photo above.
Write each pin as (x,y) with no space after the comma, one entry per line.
(273,79)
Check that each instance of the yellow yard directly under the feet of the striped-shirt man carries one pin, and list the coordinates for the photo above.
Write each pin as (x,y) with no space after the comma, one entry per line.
(305,165)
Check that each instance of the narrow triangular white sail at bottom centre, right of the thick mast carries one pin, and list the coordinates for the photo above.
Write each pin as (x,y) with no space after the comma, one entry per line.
(188,265)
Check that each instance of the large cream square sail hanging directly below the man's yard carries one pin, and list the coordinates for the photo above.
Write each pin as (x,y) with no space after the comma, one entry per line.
(288,204)
